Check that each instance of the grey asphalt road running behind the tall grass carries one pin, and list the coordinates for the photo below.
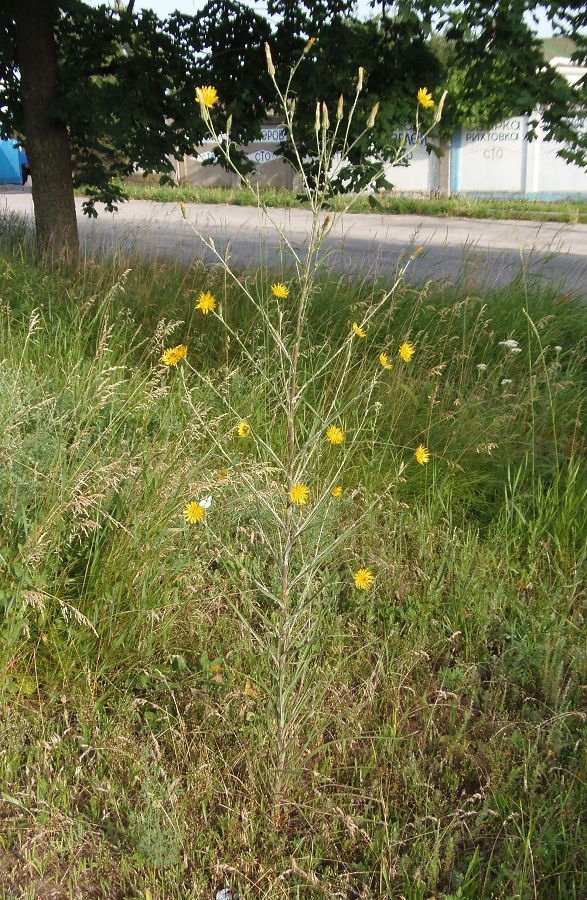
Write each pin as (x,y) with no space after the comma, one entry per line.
(476,252)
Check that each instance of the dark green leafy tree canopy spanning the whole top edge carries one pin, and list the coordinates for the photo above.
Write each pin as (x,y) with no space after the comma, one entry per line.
(126,80)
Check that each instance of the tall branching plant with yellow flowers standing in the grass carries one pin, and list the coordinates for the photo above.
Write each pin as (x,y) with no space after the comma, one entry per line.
(293,467)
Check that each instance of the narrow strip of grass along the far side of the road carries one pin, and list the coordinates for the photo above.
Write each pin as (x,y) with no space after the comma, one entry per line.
(573,211)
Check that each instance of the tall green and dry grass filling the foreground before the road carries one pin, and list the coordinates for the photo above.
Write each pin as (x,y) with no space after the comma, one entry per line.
(446,754)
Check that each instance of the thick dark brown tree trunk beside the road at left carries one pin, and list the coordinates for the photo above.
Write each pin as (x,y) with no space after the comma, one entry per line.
(46,138)
